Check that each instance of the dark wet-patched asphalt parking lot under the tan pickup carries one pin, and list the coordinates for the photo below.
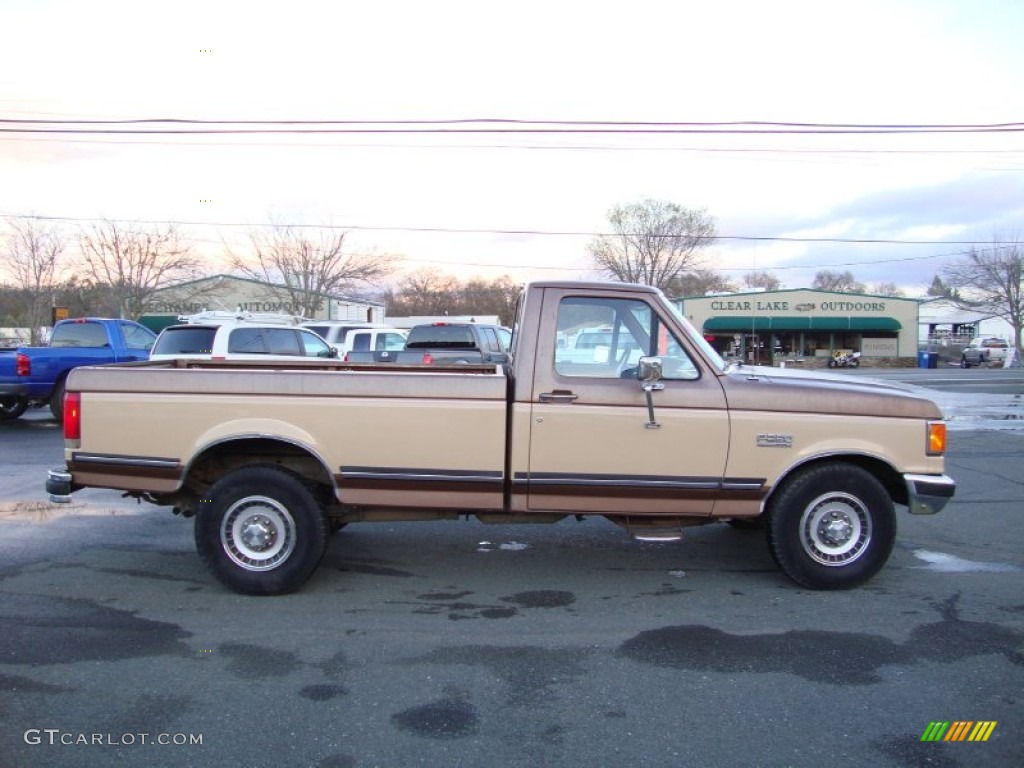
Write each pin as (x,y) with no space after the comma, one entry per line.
(457,644)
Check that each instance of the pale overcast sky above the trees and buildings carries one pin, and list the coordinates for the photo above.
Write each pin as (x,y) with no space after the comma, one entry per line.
(529,200)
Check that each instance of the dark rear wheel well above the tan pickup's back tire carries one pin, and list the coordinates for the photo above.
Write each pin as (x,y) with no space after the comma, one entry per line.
(217,461)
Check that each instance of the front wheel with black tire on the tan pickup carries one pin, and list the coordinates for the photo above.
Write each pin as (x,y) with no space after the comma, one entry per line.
(832,527)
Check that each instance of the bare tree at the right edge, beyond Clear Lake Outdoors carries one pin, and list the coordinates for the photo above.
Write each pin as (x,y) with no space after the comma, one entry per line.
(990,281)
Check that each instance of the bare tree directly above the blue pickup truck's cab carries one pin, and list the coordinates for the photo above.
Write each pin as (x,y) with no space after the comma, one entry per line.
(135,263)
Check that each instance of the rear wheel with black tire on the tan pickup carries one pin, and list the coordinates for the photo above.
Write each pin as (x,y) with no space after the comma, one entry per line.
(261,531)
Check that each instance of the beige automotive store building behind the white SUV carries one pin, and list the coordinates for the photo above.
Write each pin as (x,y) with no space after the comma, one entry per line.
(231,293)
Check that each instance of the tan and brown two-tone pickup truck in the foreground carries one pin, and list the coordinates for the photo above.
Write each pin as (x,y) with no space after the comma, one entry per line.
(650,430)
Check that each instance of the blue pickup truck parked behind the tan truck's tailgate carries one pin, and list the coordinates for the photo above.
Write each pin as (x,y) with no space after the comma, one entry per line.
(35,376)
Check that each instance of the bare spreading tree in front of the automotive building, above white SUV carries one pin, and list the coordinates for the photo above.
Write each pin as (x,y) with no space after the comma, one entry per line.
(303,267)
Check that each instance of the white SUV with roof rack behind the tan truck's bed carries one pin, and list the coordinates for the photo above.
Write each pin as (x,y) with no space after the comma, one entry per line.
(238,336)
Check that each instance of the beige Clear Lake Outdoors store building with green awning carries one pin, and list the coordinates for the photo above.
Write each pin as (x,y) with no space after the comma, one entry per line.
(807,327)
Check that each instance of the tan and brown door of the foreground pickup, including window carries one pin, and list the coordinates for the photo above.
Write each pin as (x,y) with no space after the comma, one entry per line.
(593,447)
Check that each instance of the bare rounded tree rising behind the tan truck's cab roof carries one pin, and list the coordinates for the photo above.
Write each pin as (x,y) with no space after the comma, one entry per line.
(654,242)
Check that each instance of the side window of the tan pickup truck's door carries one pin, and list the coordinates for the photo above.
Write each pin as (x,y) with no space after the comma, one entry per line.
(606,338)
